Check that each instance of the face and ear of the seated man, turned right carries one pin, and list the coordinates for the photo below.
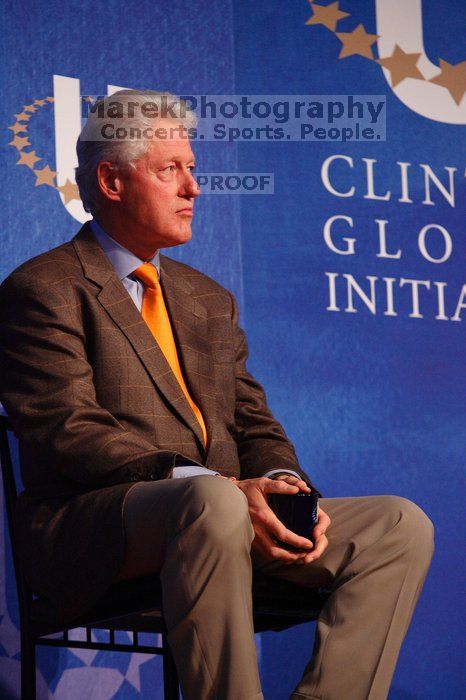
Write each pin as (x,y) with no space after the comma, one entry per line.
(157,196)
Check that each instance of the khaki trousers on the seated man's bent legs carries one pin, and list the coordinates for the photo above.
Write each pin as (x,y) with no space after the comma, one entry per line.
(197,533)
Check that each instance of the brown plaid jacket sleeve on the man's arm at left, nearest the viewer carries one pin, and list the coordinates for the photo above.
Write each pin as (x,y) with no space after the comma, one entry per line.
(48,392)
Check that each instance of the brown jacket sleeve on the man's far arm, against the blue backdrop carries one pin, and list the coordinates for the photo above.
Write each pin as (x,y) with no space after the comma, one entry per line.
(262,443)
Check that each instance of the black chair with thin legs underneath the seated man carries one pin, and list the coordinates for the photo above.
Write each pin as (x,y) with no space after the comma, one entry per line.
(132,606)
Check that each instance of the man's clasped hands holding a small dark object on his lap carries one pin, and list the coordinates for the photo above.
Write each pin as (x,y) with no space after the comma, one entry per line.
(267,526)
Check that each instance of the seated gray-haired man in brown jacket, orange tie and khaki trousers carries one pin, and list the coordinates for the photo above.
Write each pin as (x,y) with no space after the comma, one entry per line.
(124,371)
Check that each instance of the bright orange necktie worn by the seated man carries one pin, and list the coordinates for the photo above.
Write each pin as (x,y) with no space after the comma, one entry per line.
(155,314)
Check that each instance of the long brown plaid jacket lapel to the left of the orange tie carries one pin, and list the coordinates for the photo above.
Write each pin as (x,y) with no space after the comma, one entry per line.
(120,307)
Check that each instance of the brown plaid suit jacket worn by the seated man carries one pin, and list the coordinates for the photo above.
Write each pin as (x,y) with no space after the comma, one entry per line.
(96,407)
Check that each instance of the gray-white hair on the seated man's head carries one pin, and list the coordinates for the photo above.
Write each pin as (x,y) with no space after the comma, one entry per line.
(127,111)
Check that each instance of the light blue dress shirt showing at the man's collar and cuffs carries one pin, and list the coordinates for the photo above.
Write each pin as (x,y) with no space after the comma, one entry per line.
(125,263)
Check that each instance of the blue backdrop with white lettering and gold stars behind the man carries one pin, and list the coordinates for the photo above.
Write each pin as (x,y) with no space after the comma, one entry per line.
(373,401)
